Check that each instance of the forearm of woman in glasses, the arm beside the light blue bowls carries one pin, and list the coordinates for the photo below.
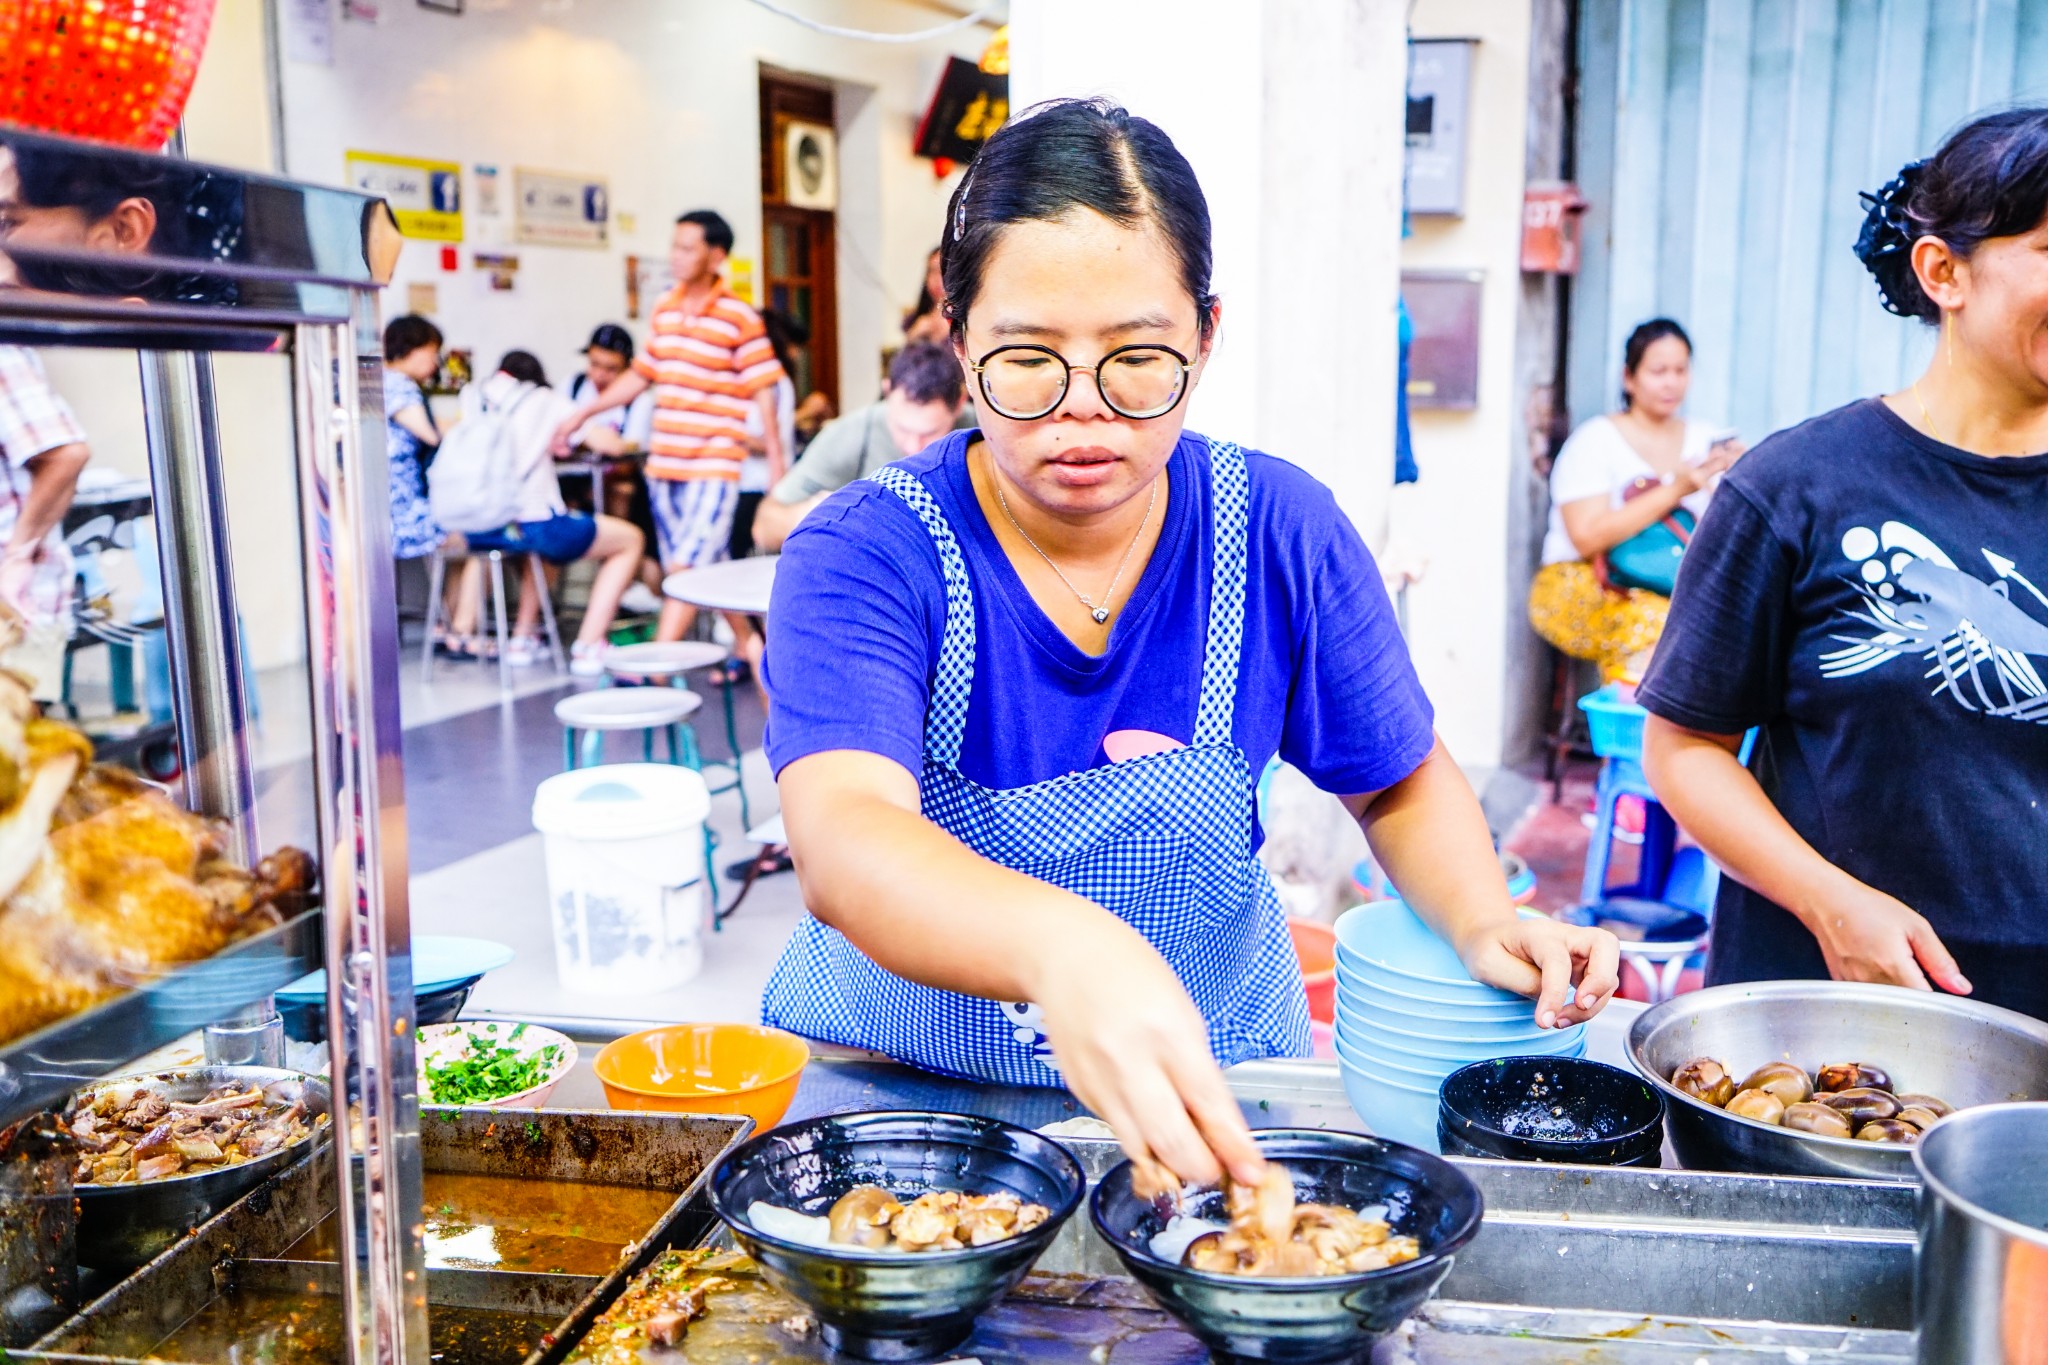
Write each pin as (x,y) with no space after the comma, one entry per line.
(1431,838)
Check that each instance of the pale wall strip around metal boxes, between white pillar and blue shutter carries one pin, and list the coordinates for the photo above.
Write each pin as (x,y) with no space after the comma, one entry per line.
(1455,519)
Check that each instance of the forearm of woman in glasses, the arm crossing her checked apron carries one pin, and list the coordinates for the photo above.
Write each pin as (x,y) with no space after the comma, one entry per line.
(919,901)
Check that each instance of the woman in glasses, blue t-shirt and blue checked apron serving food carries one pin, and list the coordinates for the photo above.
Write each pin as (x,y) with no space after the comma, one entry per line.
(1023,685)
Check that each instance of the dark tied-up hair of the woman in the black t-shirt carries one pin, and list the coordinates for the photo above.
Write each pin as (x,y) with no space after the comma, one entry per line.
(1988,181)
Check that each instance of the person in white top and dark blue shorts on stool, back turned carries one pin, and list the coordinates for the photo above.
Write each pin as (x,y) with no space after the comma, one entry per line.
(546,527)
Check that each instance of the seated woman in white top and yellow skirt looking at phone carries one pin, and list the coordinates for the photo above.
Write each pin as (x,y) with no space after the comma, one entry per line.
(1619,476)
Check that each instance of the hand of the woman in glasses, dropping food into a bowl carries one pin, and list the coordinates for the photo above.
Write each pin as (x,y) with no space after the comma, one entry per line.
(1136,1051)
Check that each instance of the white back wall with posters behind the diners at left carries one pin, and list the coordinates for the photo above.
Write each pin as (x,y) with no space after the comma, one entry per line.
(658,95)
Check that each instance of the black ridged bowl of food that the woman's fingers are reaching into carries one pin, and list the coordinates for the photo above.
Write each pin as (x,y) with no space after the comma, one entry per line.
(1306,1321)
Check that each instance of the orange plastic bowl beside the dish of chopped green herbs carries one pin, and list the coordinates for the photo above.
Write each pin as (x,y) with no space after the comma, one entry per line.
(706,1069)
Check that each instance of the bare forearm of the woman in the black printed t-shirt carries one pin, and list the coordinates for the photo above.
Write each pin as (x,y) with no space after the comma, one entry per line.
(1721,805)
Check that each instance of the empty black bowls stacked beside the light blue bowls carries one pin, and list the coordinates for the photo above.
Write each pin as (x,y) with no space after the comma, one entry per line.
(1545,1108)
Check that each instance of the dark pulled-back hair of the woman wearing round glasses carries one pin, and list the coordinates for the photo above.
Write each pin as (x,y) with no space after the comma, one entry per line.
(1076,155)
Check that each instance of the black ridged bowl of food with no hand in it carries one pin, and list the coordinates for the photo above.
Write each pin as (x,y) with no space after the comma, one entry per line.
(904,1307)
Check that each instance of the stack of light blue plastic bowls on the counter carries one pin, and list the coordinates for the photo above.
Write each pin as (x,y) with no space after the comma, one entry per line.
(1408,1016)
